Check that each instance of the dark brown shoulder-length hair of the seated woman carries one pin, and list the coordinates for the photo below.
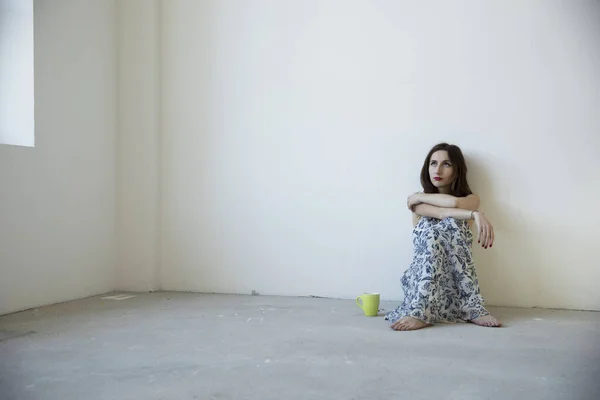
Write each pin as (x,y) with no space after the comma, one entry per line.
(460,186)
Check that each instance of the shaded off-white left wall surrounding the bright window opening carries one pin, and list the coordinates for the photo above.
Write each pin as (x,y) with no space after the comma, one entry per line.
(57,200)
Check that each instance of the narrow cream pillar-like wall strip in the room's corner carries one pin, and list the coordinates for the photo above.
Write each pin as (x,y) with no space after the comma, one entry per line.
(138,147)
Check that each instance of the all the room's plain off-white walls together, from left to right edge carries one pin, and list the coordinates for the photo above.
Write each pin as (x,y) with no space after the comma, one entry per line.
(270,146)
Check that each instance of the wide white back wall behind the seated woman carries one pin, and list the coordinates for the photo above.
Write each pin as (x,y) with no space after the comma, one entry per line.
(293,132)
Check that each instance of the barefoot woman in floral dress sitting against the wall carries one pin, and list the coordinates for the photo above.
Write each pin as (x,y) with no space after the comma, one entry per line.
(441,283)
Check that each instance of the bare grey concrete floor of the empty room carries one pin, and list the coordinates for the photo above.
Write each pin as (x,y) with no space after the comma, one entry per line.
(194,346)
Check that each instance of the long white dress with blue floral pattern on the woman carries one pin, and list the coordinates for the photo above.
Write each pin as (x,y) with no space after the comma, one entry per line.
(441,284)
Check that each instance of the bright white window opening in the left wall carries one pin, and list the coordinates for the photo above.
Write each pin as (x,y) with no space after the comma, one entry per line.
(16,72)
